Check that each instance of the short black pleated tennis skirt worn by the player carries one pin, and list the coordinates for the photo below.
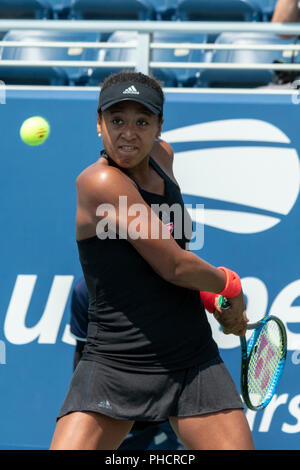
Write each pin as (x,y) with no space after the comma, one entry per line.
(140,396)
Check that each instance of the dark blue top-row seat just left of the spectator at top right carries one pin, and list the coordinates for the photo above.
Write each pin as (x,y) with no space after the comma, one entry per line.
(218,10)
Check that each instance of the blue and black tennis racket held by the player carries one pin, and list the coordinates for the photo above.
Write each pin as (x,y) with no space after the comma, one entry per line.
(263,359)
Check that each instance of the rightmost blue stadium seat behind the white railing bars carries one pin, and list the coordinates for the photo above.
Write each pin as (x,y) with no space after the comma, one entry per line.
(244,78)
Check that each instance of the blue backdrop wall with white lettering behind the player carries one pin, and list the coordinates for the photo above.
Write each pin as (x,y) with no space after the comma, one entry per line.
(236,159)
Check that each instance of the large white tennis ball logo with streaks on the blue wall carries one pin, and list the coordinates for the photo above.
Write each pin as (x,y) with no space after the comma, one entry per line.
(257,184)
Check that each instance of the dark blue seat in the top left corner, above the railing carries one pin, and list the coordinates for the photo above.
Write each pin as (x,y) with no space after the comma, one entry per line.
(24,9)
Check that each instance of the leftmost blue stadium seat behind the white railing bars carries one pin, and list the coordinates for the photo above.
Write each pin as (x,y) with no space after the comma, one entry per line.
(47,75)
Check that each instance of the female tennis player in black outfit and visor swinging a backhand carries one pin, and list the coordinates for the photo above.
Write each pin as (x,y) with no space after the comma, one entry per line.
(150,355)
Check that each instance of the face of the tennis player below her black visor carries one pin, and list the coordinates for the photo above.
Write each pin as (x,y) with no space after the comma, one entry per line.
(128,130)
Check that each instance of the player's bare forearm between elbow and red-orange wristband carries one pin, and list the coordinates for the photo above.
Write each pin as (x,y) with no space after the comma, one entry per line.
(192,272)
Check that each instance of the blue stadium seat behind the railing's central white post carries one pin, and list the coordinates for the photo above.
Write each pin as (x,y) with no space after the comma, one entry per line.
(169,77)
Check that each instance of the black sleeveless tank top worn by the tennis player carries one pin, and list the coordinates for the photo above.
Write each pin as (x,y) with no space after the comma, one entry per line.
(137,320)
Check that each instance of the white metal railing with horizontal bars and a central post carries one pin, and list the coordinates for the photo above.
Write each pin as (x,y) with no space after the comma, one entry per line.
(144,44)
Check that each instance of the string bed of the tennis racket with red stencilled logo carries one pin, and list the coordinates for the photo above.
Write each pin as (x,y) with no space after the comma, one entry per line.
(263,367)
